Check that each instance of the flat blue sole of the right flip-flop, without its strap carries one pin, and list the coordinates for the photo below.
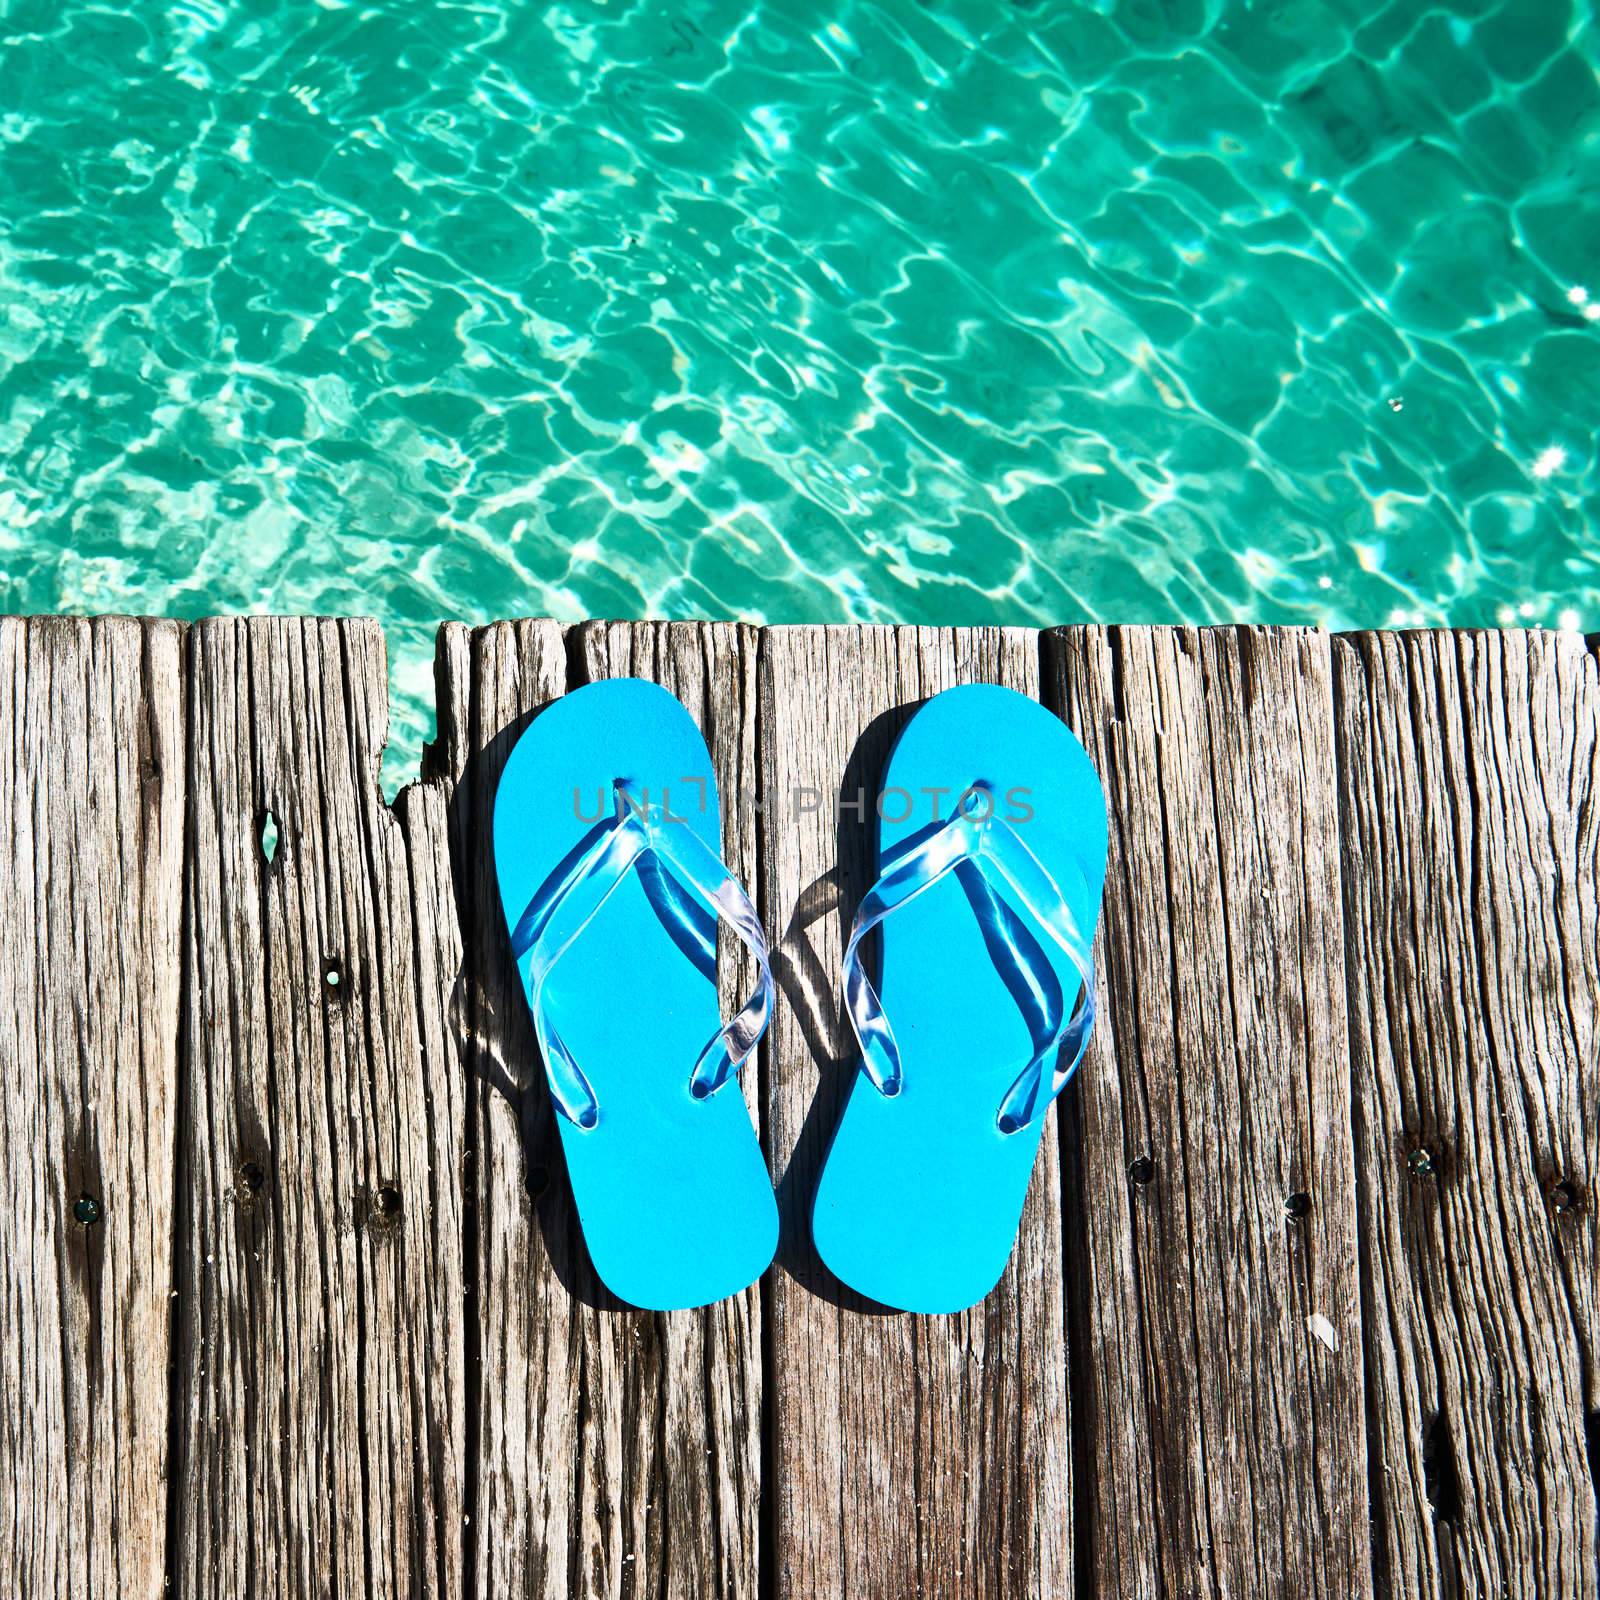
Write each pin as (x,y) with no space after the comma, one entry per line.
(922,1194)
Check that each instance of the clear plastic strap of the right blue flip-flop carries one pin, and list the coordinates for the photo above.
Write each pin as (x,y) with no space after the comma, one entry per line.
(975,833)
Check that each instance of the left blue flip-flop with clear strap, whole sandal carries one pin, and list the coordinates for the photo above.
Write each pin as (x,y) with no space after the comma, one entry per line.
(607,847)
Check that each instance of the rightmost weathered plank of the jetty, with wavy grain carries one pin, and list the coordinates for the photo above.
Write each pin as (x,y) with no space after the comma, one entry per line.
(1471,850)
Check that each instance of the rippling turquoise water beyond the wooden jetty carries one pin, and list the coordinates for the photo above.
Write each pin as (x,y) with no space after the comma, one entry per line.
(948,311)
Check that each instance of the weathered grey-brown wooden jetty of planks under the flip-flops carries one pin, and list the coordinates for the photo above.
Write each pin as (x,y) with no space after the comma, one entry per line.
(294,1298)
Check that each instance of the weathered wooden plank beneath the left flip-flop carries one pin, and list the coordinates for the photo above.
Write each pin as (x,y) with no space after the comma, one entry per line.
(620,1450)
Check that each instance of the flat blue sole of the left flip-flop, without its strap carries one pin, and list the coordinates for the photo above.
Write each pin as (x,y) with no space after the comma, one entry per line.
(673,1193)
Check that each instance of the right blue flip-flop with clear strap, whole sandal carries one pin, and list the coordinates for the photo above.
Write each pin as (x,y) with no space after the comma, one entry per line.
(993,858)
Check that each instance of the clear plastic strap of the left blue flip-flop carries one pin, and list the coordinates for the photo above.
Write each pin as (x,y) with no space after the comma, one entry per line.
(570,900)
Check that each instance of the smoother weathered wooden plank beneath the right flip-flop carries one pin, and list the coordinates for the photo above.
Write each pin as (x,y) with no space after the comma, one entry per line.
(908,1455)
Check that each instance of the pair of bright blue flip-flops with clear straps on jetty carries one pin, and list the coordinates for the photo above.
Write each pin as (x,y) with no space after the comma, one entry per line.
(993,857)
